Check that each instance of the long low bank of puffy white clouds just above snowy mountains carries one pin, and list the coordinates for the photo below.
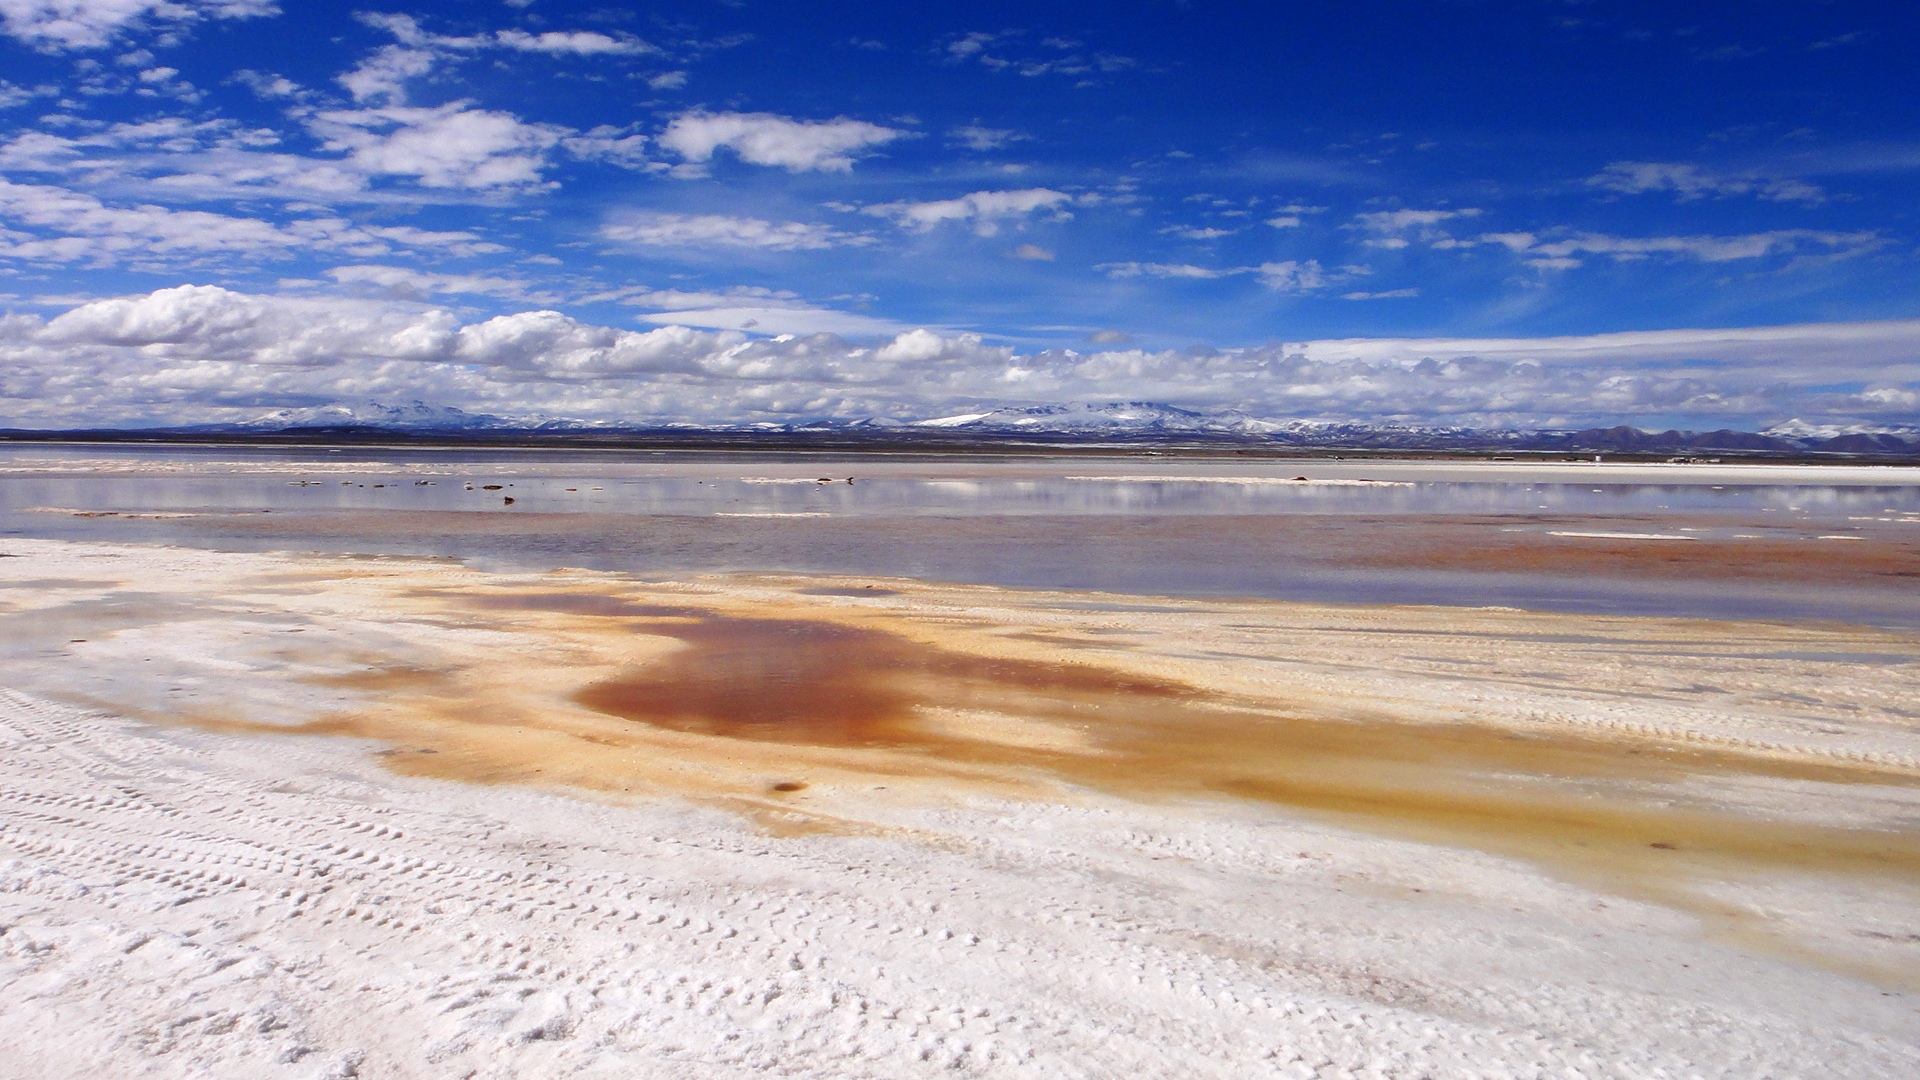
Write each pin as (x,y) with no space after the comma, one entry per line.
(203,353)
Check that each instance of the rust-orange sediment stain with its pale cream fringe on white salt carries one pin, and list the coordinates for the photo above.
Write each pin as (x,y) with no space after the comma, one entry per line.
(798,706)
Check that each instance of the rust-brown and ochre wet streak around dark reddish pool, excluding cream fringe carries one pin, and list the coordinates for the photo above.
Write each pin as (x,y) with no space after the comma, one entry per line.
(744,704)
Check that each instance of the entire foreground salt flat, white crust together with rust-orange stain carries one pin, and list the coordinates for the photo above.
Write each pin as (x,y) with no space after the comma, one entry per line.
(324,816)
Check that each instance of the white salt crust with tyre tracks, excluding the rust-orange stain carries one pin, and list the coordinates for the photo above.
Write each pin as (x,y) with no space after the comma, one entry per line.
(191,900)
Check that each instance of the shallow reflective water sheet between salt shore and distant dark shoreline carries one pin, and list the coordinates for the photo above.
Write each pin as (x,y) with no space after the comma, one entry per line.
(1764,543)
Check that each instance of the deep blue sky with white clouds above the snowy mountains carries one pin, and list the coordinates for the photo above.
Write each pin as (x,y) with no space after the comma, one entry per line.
(1420,212)
